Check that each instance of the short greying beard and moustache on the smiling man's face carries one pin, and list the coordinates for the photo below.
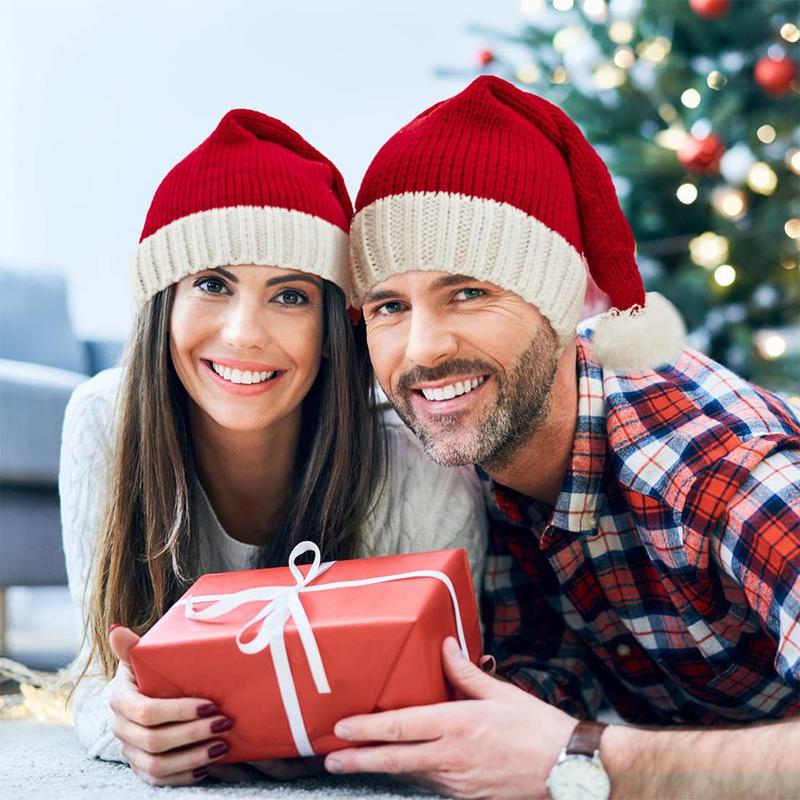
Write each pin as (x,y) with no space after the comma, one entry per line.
(522,405)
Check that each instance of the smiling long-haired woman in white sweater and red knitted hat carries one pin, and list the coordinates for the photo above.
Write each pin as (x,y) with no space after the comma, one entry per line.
(240,424)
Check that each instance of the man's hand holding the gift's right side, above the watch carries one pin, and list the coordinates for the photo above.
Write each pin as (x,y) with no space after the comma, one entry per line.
(501,742)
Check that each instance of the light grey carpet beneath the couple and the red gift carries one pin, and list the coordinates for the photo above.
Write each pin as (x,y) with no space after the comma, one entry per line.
(40,761)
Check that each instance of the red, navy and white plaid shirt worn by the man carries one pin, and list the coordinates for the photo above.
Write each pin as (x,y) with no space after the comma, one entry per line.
(666,579)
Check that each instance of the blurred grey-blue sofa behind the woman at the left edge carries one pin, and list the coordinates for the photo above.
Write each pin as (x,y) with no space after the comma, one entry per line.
(41,362)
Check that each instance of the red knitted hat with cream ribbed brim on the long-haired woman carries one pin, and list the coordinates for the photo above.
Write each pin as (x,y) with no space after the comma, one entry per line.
(254,192)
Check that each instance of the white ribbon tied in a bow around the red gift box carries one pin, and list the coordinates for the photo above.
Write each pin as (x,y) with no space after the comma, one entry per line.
(284,602)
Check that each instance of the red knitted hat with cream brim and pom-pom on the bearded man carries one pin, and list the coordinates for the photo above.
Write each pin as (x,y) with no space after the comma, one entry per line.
(501,185)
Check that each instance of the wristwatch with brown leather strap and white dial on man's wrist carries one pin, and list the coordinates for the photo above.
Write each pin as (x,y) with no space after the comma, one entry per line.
(579,774)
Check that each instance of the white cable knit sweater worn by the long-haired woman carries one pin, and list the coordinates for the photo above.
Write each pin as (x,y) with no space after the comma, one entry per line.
(423,506)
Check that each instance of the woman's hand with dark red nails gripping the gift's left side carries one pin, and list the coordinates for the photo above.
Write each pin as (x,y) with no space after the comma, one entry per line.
(167,742)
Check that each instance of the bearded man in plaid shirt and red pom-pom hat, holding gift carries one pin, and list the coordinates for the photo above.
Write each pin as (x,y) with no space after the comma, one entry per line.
(645,501)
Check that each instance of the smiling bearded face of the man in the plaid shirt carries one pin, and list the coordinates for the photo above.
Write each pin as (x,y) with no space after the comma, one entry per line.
(468,366)
